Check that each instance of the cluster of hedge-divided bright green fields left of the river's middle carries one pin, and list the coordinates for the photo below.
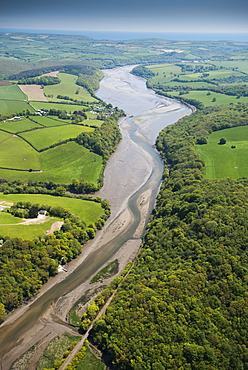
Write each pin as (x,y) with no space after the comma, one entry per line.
(59,164)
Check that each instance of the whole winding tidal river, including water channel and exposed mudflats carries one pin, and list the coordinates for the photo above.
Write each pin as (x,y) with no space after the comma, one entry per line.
(131,182)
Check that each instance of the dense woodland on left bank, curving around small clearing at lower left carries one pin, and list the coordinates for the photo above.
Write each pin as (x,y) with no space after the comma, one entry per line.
(27,264)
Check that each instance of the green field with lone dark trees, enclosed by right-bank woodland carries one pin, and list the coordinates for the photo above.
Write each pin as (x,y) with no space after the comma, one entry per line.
(222,161)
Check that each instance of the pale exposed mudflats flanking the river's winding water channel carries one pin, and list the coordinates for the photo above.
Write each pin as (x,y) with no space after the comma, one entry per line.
(128,170)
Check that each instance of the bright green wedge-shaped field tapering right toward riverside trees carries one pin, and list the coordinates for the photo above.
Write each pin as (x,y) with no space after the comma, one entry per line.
(44,138)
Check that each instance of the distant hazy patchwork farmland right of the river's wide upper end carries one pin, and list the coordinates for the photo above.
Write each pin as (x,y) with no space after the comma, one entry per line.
(210,83)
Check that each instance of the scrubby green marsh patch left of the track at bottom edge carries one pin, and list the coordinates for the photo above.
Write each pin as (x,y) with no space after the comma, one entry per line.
(55,350)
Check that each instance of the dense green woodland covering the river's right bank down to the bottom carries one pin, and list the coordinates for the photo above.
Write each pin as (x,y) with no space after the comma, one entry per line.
(184,304)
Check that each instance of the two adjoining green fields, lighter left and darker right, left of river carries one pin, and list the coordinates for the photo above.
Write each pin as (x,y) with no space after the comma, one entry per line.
(60,164)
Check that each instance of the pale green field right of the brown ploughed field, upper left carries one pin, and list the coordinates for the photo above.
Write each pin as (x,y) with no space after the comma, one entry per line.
(67,87)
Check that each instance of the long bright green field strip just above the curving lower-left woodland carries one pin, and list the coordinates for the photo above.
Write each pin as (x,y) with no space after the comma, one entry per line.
(87,211)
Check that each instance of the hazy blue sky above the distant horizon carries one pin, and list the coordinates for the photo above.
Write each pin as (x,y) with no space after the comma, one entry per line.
(196,16)
